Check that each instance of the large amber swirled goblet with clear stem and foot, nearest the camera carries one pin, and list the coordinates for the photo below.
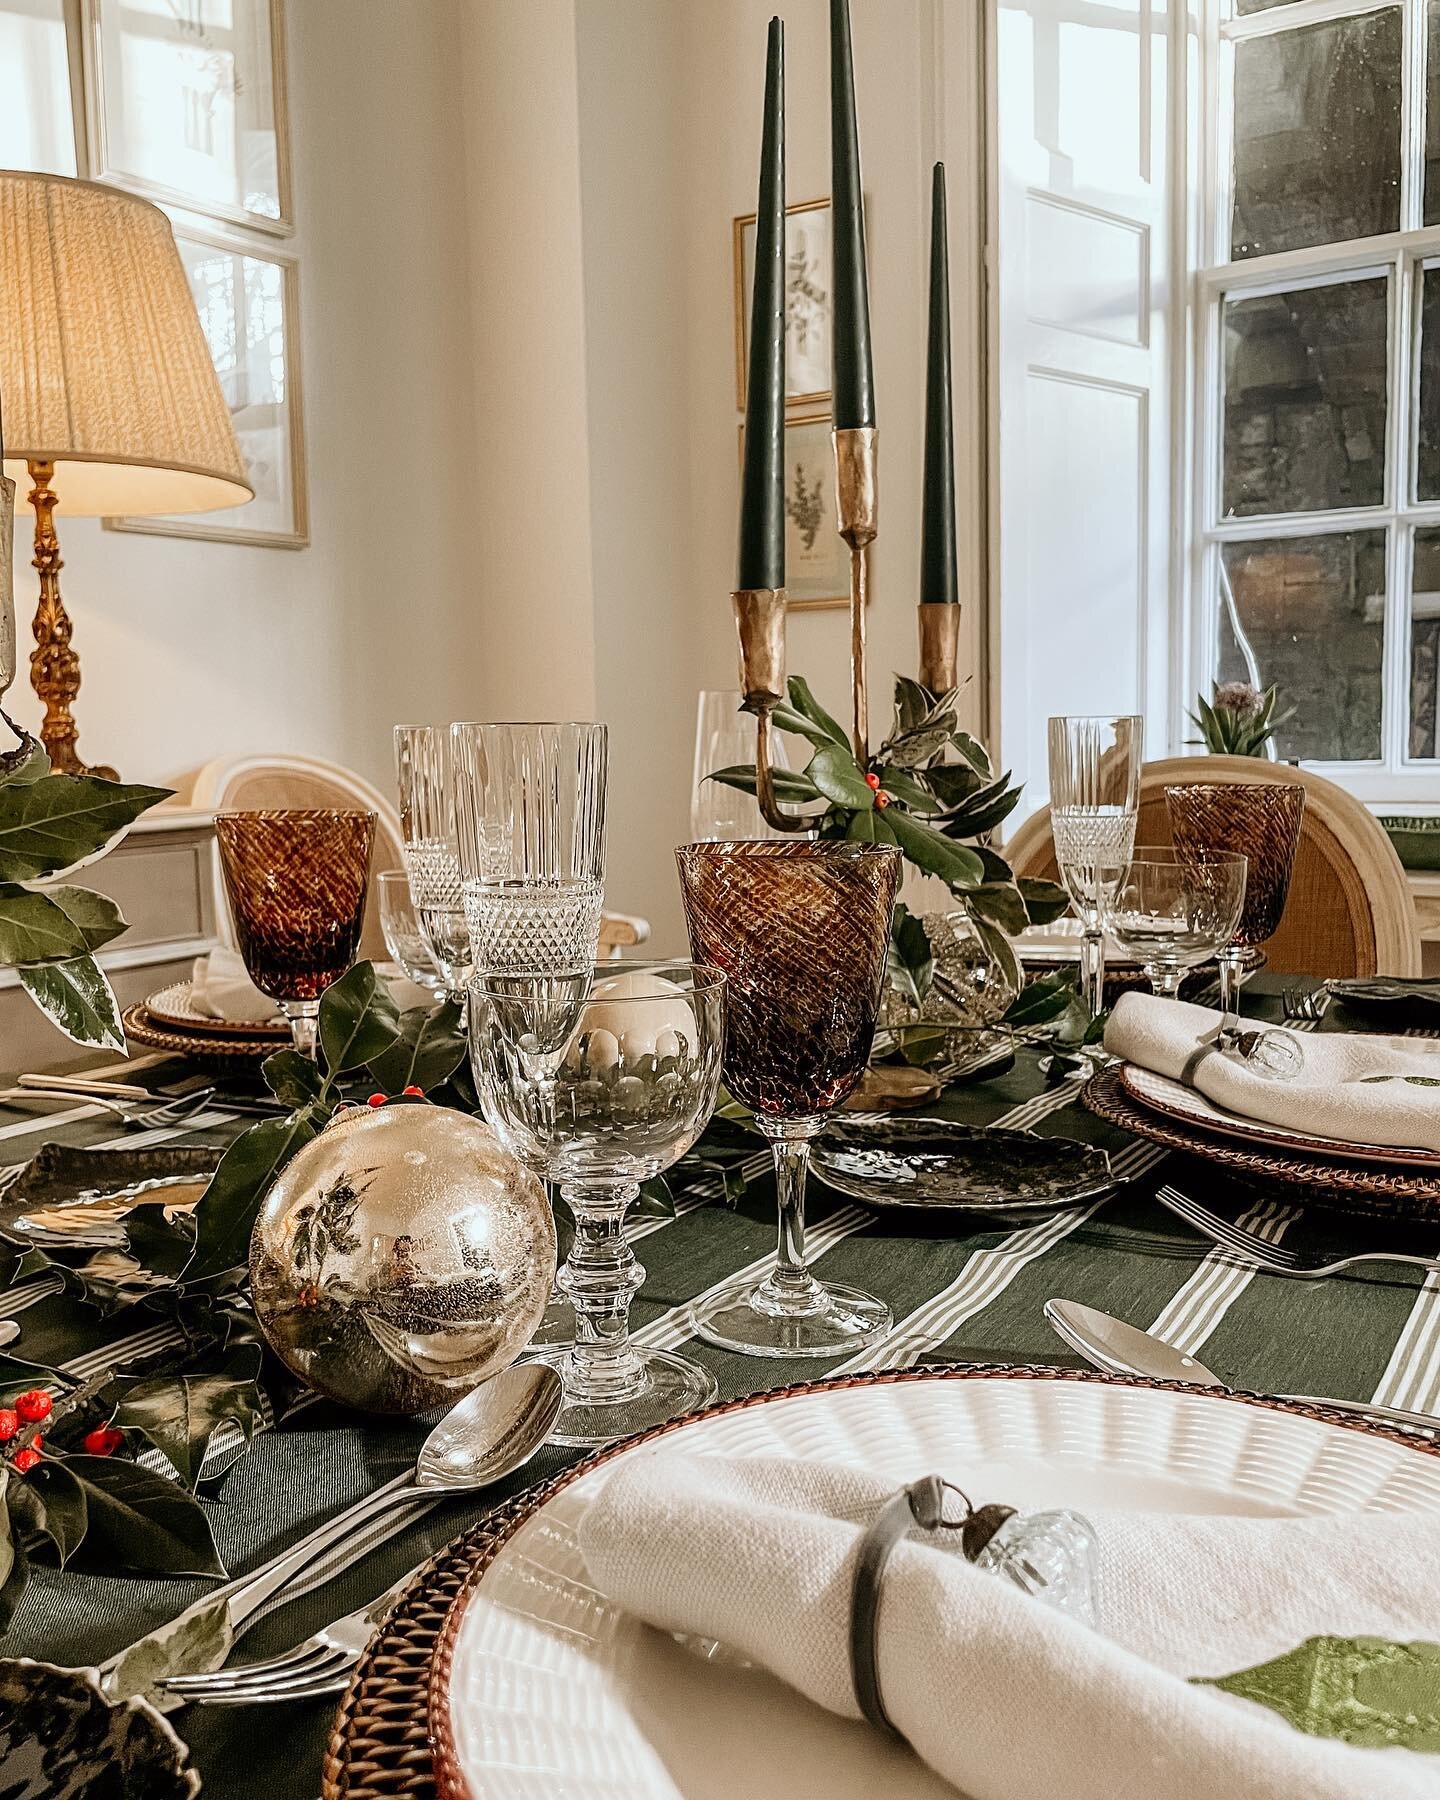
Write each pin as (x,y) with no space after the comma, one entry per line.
(800,931)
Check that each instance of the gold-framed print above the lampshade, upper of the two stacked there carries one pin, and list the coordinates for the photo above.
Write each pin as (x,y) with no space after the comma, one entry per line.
(186,105)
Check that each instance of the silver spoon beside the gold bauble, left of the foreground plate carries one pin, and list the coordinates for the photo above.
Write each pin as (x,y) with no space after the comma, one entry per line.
(489,1435)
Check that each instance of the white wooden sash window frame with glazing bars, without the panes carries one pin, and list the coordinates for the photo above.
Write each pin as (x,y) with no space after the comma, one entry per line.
(1403,258)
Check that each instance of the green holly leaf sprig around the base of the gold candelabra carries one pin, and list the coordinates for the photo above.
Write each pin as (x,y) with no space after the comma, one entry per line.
(930,789)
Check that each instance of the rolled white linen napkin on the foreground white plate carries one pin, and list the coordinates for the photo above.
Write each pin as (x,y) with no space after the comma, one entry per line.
(998,1693)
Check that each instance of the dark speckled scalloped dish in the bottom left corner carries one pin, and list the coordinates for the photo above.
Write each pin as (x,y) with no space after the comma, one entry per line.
(62,1740)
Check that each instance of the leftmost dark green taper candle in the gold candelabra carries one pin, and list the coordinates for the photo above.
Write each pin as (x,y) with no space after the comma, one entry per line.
(762,474)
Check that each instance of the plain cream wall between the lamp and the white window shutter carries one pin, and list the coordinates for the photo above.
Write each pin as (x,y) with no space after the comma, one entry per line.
(519,373)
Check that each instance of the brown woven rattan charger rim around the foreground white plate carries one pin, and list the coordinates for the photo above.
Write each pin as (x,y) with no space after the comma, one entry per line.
(391,1731)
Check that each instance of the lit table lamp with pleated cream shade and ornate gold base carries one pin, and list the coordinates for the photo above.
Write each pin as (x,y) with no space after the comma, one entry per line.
(105,377)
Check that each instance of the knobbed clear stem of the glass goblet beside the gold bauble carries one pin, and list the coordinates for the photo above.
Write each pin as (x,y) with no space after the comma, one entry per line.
(602,1277)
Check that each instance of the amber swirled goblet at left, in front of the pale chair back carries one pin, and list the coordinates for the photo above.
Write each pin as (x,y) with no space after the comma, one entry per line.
(298,899)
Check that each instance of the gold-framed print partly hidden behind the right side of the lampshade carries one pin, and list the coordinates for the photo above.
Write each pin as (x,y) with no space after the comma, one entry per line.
(249,312)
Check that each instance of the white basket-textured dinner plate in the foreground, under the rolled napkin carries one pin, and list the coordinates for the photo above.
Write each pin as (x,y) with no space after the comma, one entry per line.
(557,1693)
